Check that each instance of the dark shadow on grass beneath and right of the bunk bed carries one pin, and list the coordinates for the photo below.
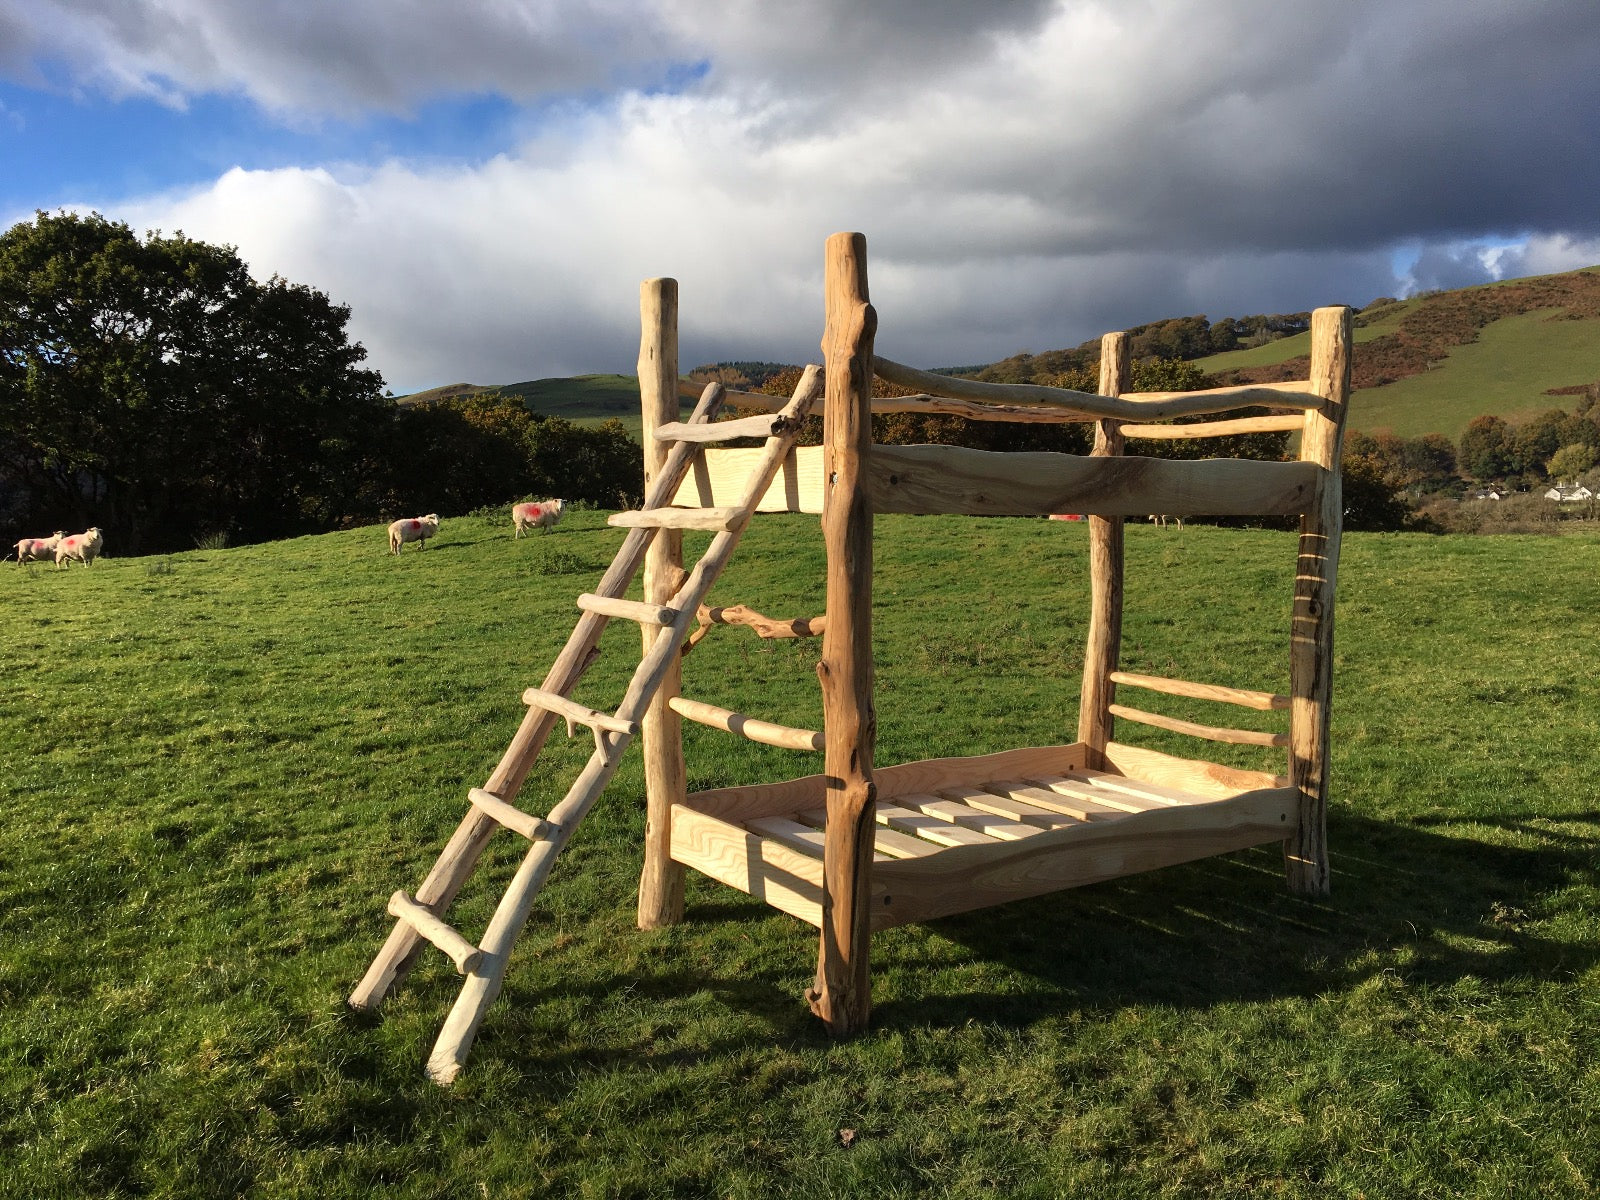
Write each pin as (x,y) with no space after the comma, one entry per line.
(1433,906)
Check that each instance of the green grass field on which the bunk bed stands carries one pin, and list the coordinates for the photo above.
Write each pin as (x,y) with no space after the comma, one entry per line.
(222,764)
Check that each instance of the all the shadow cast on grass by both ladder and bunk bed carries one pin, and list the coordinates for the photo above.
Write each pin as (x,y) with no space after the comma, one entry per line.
(1428,906)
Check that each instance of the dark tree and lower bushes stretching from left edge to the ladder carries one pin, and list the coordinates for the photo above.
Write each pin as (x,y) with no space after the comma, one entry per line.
(153,388)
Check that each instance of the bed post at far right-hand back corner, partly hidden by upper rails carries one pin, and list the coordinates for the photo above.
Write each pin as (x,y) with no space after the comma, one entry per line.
(1105,638)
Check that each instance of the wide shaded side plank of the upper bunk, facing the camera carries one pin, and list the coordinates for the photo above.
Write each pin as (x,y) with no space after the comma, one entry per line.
(991,484)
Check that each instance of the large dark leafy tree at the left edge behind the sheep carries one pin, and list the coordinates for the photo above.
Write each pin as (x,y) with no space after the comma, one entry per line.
(156,390)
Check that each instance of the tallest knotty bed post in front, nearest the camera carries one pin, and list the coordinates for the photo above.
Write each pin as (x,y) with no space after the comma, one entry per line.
(842,993)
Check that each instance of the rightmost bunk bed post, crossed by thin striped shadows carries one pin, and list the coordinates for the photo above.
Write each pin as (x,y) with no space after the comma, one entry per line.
(1311,636)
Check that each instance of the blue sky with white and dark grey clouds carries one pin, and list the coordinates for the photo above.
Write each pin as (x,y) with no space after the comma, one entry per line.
(486,183)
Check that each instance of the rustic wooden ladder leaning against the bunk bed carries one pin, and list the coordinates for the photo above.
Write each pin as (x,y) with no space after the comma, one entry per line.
(420,918)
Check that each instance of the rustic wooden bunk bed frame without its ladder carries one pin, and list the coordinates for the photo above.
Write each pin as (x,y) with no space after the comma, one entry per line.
(863,847)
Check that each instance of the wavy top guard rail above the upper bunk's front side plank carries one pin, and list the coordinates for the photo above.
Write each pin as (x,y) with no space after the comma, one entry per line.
(1148,407)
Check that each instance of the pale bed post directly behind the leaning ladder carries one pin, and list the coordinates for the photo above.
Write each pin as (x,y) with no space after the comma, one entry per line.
(662,884)
